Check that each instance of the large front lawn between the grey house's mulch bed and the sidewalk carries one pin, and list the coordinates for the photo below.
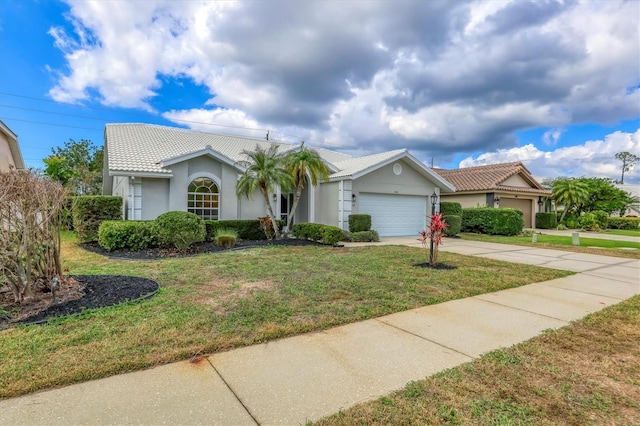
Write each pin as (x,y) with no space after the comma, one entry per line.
(215,302)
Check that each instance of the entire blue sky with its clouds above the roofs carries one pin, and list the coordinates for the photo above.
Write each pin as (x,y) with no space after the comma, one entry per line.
(553,84)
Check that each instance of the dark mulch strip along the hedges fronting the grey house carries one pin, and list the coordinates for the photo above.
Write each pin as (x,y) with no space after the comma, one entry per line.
(199,248)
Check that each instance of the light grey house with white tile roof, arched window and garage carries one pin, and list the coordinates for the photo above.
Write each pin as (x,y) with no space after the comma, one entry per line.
(158,169)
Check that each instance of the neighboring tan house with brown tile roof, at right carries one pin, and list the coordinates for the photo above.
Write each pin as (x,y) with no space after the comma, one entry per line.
(497,185)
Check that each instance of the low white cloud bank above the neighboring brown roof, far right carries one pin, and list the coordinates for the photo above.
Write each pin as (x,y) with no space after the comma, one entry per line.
(592,158)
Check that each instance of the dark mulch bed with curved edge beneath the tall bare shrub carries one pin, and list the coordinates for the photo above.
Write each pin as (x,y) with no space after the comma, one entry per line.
(97,291)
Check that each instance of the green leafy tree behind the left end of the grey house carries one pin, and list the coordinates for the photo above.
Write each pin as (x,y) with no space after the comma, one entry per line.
(77,165)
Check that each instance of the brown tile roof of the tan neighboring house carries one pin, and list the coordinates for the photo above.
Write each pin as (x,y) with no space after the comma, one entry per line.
(491,177)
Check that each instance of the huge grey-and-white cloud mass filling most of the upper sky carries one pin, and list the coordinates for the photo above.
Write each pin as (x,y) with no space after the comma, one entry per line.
(438,77)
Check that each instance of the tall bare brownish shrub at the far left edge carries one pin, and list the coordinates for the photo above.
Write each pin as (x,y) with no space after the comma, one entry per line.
(30,207)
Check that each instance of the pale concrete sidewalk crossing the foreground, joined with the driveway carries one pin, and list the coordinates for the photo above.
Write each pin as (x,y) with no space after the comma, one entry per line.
(306,377)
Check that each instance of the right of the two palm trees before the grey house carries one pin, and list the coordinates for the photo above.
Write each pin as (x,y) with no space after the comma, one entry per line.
(300,164)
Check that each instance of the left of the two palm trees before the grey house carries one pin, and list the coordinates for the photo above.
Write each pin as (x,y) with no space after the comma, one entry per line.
(264,170)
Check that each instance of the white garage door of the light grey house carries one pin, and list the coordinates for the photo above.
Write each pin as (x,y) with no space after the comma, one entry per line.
(394,215)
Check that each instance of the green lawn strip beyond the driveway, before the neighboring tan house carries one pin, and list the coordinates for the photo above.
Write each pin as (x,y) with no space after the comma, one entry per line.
(587,245)
